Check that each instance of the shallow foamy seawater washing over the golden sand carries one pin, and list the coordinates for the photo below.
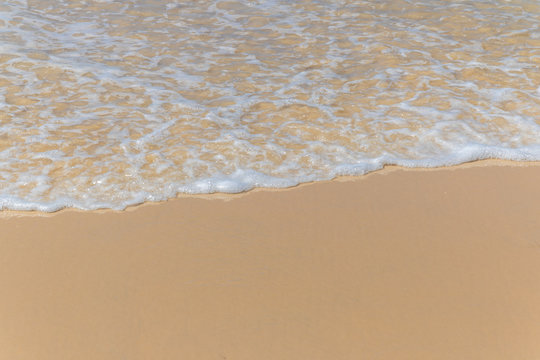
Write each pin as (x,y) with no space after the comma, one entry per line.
(105,104)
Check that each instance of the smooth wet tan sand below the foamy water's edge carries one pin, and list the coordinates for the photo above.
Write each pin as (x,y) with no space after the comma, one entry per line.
(399,264)
